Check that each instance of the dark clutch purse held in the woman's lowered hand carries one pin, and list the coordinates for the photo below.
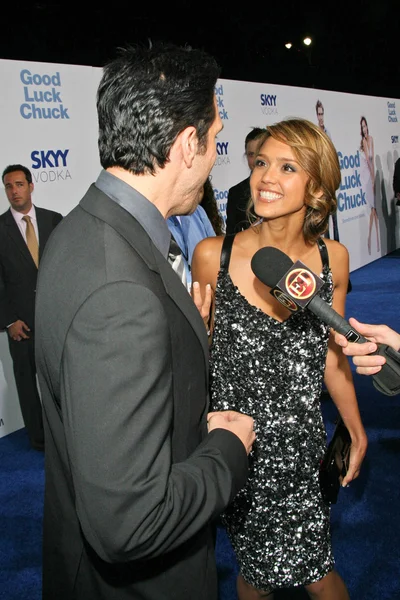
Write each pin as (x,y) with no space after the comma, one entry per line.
(335,463)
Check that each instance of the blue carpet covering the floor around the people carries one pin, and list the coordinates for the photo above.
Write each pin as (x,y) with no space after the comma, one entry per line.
(365,521)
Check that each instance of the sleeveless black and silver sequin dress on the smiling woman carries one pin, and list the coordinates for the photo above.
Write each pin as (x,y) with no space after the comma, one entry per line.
(278,524)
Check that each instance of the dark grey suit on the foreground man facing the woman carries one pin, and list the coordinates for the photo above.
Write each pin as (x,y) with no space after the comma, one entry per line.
(130,351)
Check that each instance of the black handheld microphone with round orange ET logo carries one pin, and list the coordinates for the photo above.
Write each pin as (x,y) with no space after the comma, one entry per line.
(296,287)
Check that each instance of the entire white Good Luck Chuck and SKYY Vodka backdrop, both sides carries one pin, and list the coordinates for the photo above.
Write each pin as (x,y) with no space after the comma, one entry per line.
(49,124)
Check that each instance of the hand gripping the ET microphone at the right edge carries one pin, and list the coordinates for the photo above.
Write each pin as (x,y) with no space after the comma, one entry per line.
(366,363)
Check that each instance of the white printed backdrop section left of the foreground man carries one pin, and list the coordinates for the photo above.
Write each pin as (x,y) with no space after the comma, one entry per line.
(49,124)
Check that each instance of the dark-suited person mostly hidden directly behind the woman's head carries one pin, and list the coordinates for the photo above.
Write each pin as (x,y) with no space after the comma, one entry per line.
(239,195)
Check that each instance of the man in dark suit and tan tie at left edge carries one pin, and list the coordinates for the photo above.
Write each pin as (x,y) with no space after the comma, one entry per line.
(24,231)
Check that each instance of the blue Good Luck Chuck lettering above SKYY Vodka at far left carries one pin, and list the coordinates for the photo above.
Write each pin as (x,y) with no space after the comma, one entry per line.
(42,99)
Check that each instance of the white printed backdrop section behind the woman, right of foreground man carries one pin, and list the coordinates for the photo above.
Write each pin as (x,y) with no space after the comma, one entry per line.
(365,133)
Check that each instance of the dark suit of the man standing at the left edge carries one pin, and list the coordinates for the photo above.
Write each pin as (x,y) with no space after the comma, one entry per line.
(18,274)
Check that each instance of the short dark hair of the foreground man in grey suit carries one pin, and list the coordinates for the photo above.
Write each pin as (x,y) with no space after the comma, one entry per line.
(146,97)
